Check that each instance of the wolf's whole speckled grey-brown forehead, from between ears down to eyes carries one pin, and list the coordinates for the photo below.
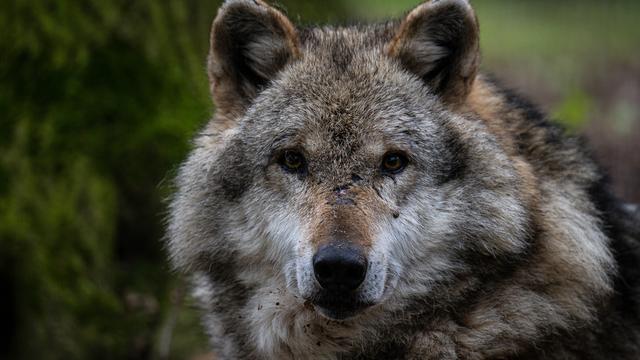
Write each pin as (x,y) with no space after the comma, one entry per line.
(345,92)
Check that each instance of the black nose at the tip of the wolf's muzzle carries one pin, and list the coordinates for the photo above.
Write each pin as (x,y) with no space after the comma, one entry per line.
(339,267)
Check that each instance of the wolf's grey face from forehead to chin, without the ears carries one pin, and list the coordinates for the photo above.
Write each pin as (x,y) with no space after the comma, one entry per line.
(360,182)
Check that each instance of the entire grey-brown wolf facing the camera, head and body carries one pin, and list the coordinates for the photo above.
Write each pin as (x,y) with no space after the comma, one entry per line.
(363,192)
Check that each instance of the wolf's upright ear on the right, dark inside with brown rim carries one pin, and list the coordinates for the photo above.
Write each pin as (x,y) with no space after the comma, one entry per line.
(438,41)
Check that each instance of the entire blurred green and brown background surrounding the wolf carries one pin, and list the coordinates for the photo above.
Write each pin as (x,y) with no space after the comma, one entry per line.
(98,101)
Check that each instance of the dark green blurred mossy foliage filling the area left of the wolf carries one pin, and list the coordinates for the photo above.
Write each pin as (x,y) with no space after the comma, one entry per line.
(99,100)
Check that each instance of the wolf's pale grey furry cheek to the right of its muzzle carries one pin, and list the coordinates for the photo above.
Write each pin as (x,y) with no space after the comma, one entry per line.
(444,232)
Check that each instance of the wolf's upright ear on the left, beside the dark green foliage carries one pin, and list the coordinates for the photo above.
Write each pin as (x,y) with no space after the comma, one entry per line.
(250,43)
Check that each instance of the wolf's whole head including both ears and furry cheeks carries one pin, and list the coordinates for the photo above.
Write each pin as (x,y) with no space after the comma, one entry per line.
(343,168)
